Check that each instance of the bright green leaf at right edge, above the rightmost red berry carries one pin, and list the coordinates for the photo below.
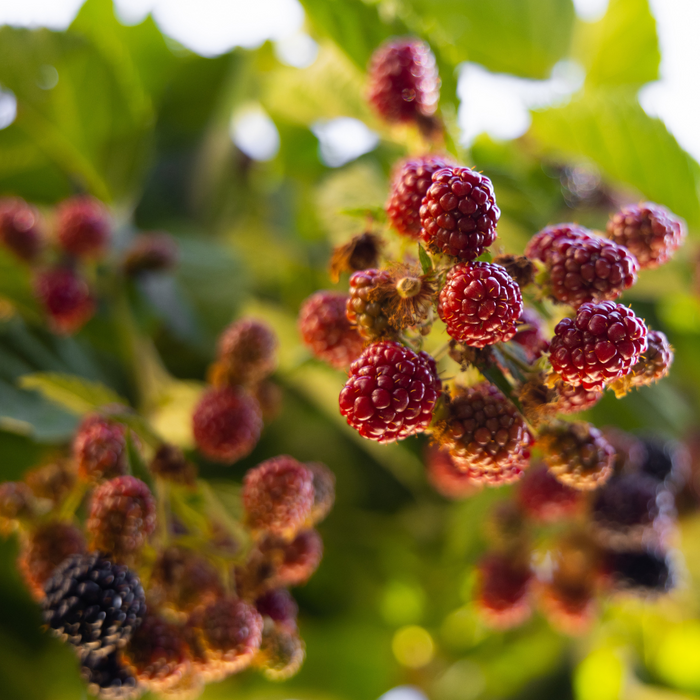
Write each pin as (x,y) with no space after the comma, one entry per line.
(613,131)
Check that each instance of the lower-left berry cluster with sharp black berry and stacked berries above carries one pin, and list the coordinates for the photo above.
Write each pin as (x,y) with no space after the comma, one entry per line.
(159,587)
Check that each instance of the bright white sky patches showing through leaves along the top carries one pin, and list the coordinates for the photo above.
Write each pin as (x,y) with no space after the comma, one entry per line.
(495,103)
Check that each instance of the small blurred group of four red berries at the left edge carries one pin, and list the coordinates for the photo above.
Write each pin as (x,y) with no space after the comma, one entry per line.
(62,253)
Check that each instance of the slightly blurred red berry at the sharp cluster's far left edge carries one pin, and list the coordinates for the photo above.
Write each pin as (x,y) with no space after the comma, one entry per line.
(326,330)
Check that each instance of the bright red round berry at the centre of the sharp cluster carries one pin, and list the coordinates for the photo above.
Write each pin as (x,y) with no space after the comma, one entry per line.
(480,304)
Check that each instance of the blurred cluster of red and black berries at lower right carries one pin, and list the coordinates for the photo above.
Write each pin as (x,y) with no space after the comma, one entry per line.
(563,549)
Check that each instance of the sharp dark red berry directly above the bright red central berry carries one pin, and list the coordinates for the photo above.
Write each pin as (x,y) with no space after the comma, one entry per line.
(459,213)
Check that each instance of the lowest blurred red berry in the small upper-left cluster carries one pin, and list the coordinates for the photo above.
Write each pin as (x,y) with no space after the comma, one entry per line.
(66,298)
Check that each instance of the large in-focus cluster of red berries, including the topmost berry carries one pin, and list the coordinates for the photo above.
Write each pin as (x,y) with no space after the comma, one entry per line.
(394,389)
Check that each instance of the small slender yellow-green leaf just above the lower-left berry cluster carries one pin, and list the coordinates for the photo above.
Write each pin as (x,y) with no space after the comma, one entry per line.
(74,393)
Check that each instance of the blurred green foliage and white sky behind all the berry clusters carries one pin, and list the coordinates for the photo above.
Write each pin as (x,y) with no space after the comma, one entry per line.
(241,128)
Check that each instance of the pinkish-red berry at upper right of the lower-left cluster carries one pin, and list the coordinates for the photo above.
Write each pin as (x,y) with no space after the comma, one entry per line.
(278,495)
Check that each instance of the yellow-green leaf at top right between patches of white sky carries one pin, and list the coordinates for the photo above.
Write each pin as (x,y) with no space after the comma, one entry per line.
(622,48)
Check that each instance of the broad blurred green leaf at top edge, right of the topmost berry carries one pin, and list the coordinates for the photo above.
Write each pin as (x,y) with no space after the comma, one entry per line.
(522,37)
